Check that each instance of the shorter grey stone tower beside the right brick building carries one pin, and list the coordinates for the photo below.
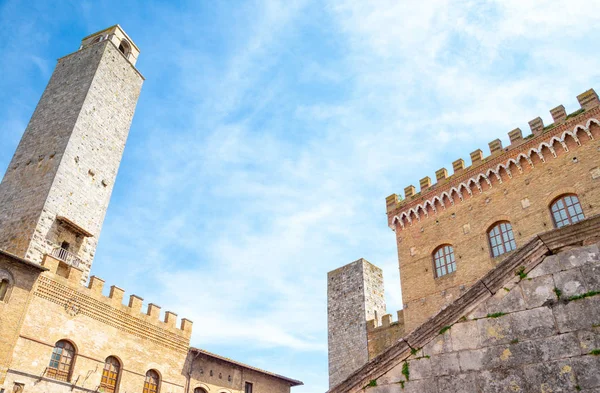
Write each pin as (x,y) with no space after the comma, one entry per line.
(355,294)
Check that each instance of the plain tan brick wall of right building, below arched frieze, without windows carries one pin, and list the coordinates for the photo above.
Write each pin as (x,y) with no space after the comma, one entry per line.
(523,200)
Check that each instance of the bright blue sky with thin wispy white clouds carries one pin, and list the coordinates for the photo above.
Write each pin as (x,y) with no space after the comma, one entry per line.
(268,134)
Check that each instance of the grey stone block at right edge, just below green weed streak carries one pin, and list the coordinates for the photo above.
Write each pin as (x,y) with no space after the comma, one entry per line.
(577,314)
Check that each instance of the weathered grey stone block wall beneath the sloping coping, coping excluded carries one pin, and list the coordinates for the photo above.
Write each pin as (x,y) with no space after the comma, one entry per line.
(540,334)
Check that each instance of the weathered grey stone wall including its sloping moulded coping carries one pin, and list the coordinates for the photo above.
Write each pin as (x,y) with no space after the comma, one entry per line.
(547,290)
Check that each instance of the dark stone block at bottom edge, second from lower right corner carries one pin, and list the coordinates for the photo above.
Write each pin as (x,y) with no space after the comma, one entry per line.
(554,376)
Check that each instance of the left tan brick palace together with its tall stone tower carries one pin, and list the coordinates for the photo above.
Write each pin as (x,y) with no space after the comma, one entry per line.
(57,335)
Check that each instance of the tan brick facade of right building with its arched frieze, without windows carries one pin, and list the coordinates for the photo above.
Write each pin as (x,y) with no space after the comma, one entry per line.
(520,194)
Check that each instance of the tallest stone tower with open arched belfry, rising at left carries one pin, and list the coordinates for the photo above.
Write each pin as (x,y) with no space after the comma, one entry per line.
(56,190)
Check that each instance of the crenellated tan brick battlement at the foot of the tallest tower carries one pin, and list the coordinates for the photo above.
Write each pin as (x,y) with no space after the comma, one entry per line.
(61,285)
